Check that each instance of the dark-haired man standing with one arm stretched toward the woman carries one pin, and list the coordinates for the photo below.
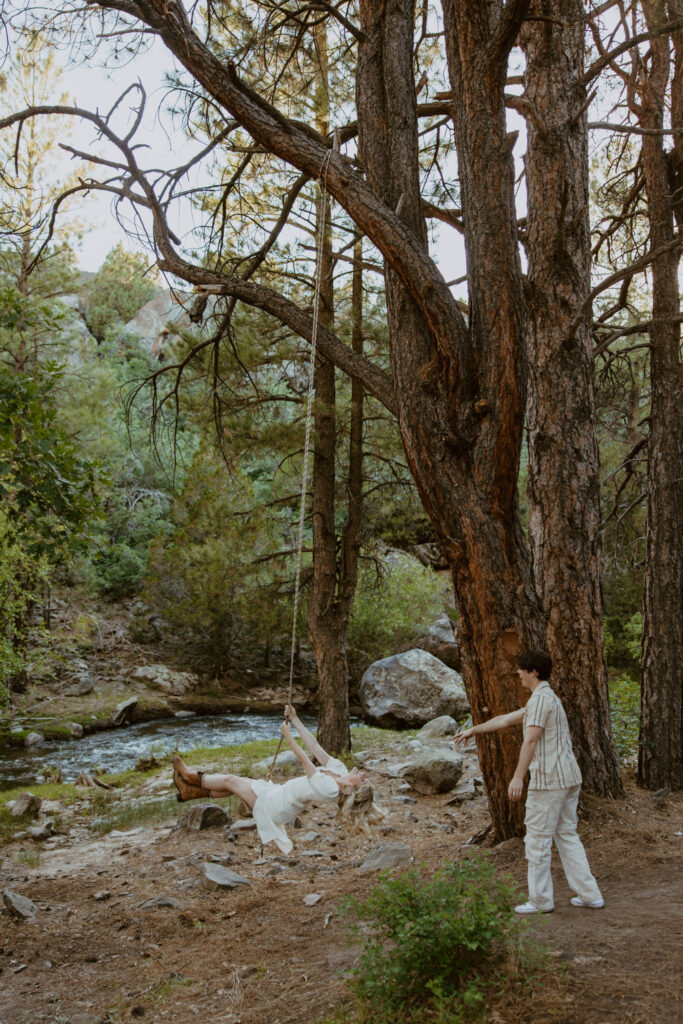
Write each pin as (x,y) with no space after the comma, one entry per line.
(553,792)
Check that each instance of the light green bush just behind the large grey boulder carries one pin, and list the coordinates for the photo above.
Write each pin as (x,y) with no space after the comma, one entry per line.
(391,611)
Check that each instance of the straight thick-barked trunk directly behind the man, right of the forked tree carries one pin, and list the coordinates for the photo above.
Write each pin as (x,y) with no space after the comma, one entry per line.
(565,486)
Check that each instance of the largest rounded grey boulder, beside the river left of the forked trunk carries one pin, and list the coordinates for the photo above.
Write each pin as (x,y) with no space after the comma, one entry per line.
(411,690)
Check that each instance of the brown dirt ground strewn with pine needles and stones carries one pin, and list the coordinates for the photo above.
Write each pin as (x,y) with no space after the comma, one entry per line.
(259,955)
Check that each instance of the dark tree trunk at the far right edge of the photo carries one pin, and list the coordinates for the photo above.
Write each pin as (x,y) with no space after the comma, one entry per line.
(661,751)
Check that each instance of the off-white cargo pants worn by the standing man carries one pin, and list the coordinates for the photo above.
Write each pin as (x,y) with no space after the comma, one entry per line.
(551,815)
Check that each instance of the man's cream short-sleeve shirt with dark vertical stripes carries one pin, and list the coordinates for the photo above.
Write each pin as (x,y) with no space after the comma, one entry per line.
(554,765)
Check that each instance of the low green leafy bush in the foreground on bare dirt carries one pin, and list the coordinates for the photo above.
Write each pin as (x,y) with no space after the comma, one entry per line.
(433,944)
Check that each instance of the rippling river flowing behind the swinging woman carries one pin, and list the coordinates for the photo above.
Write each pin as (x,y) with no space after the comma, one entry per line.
(118,750)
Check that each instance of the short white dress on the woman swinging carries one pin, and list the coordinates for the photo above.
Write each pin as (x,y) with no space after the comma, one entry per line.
(279,803)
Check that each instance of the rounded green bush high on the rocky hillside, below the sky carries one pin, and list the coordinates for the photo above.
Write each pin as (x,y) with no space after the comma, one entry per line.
(118,290)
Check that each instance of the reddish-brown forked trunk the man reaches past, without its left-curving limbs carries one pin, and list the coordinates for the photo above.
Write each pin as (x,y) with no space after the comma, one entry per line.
(461,420)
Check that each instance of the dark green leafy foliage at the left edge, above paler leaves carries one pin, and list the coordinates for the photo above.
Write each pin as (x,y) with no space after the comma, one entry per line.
(51,490)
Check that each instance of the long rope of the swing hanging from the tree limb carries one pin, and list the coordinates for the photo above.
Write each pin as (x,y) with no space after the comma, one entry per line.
(310,417)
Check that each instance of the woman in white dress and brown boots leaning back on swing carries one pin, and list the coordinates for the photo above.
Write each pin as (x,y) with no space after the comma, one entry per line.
(275,805)
